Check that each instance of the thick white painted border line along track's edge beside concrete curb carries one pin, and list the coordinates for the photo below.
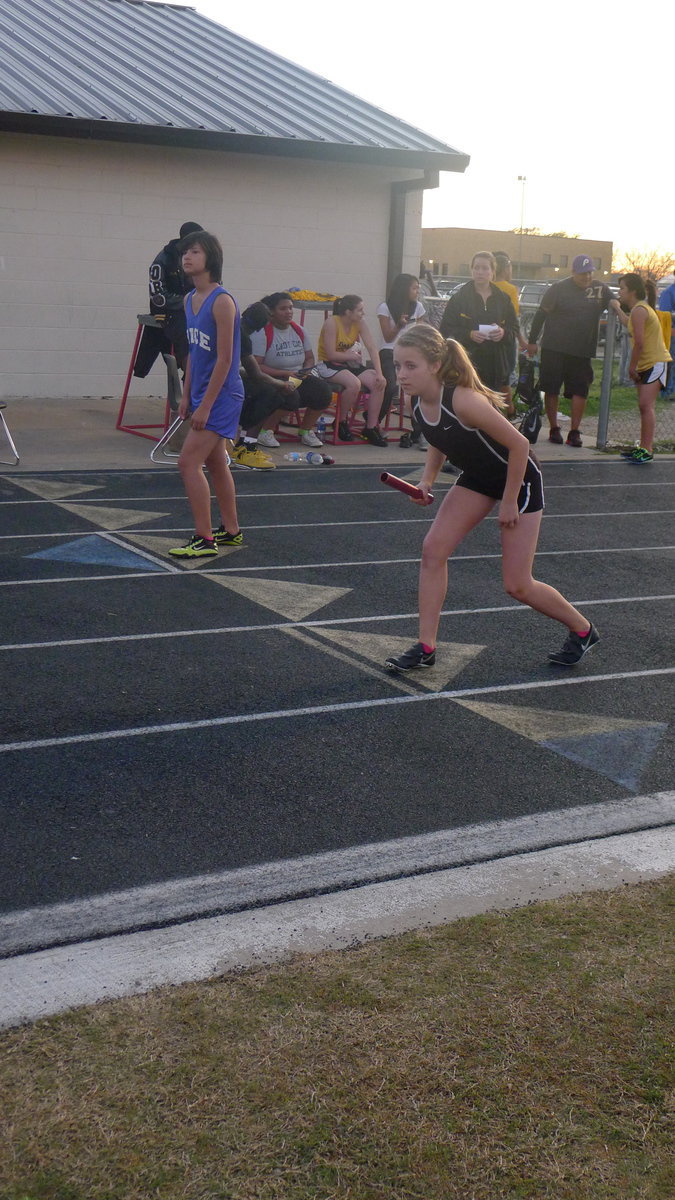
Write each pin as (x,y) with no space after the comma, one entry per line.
(279,880)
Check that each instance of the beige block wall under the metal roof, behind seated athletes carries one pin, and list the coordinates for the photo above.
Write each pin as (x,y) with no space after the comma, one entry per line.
(81,223)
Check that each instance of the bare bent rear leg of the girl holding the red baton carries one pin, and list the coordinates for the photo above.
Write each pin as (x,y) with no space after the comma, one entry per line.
(519,545)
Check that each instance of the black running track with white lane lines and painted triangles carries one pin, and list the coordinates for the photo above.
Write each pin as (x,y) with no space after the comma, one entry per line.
(164,723)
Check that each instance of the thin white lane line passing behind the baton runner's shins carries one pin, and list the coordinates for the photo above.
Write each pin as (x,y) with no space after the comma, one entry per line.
(309,625)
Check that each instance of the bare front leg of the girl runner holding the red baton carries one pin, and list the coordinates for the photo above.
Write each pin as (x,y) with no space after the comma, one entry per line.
(459,514)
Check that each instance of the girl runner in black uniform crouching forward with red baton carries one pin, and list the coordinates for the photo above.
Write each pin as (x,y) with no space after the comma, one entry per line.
(462,421)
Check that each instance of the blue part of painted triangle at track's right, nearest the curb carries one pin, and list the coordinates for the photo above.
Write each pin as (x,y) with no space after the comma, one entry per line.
(622,755)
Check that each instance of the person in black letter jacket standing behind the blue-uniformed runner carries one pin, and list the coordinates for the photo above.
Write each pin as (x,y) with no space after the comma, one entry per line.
(169,286)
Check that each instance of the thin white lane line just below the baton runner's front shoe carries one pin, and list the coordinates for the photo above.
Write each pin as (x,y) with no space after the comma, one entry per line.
(213,723)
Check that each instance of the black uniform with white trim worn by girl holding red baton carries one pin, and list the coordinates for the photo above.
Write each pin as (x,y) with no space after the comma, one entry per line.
(483,463)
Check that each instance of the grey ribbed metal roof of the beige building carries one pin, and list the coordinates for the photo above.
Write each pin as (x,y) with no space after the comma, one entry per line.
(112,69)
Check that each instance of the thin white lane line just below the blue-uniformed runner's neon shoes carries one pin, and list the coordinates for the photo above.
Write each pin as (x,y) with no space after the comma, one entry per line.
(315,567)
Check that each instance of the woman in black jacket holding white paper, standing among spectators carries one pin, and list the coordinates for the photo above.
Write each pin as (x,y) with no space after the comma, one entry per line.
(482,319)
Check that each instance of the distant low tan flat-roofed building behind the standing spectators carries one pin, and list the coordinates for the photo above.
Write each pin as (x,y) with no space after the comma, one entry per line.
(547,257)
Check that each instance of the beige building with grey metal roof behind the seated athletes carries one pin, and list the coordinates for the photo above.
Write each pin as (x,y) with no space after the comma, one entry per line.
(109,145)
